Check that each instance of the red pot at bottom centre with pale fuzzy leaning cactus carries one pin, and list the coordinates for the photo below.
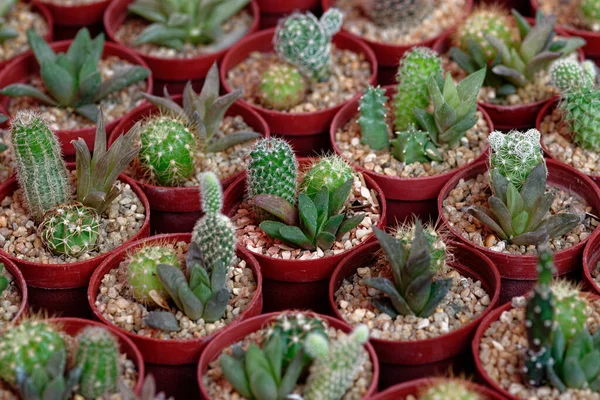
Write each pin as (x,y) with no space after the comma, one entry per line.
(233,334)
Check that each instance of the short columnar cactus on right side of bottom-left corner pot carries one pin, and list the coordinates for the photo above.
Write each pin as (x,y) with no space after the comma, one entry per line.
(98,358)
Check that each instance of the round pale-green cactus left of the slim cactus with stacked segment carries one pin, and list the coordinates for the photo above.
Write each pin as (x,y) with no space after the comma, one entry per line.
(141,272)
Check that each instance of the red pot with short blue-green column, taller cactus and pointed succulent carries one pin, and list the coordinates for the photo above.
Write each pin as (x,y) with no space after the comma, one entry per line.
(405,196)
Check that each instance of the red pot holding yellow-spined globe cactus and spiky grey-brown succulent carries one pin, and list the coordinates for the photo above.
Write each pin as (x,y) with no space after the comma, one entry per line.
(176,209)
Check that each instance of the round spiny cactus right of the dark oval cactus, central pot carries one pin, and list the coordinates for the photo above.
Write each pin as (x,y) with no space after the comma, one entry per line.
(329,172)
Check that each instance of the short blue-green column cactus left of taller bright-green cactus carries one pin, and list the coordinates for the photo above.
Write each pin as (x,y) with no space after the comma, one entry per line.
(374,130)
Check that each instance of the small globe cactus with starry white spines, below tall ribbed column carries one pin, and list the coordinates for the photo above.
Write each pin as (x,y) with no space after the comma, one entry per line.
(70,229)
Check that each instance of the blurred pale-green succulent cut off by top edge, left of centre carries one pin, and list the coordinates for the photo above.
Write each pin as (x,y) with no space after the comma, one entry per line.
(175,23)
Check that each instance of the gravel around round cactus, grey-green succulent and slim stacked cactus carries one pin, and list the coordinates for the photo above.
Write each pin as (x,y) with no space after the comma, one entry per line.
(118,306)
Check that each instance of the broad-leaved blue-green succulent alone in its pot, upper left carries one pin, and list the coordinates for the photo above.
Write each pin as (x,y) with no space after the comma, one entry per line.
(72,79)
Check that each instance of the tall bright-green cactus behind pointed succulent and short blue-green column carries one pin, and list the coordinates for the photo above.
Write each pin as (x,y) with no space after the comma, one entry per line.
(416,66)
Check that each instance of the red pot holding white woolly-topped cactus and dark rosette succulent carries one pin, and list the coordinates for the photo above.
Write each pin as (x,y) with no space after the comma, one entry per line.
(519,272)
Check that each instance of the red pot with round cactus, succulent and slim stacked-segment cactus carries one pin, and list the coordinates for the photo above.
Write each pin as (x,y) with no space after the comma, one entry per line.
(173,351)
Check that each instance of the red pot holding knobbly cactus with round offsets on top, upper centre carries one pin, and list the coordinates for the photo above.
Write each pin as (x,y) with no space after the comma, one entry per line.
(305,131)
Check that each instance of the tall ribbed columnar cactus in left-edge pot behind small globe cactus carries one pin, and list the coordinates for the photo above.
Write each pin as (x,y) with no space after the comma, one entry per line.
(41,171)
